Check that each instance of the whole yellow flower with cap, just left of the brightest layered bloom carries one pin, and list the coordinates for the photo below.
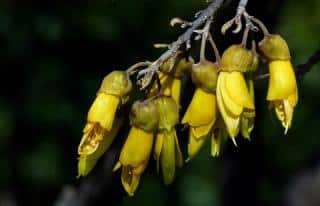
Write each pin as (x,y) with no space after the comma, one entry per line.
(202,111)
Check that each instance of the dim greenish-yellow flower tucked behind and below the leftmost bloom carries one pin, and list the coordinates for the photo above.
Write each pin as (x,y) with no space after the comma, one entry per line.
(87,162)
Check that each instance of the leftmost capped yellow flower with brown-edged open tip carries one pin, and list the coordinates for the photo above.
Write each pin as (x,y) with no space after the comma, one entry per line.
(113,92)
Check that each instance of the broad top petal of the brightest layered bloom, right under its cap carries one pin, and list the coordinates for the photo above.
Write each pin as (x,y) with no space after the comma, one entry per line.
(237,89)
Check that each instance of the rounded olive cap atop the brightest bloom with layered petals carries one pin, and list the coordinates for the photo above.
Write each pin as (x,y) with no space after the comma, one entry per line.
(236,58)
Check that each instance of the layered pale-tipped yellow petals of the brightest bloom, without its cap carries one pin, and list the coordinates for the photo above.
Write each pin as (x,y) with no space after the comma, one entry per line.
(233,98)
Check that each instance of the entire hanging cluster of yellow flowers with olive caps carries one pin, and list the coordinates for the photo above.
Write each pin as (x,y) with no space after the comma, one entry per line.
(222,107)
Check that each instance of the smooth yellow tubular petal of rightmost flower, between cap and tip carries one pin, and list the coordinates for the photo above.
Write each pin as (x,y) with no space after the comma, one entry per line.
(282,81)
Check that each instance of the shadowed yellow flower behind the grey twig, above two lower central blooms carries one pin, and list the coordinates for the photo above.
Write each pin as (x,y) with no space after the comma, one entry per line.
(170,76)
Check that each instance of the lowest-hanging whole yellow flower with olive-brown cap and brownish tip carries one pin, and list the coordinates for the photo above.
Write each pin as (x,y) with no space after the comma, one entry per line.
(136,151)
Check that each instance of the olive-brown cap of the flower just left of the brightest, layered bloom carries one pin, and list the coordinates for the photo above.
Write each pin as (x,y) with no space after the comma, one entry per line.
(204,75)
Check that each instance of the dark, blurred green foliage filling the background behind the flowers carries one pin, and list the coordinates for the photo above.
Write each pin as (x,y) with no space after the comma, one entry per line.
(56,53)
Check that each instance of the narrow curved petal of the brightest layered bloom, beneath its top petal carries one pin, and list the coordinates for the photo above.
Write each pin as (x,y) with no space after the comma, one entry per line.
(231,106)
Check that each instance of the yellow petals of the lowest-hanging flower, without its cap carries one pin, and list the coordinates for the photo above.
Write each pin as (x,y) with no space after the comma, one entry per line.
(134,158)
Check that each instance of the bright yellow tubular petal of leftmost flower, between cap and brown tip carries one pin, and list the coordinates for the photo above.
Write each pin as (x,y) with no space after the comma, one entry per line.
(103,110)
